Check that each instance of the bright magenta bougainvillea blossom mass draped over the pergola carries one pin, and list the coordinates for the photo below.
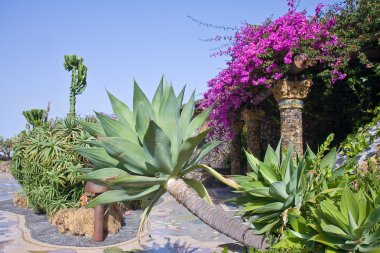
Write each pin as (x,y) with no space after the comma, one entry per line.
(263,54)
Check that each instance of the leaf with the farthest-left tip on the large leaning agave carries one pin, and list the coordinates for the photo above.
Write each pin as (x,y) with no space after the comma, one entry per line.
(97,156)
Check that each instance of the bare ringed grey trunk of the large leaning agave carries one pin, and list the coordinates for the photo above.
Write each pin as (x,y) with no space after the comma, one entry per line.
(213,217)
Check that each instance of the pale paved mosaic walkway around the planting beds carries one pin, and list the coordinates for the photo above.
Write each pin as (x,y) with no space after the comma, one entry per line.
(171,229)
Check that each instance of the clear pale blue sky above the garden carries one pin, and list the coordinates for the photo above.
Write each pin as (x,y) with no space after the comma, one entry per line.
(119,40)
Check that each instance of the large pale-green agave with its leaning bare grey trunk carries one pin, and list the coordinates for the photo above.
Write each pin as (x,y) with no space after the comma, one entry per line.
(148,151)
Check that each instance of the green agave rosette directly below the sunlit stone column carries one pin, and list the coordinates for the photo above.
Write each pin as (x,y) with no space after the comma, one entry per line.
(278,187)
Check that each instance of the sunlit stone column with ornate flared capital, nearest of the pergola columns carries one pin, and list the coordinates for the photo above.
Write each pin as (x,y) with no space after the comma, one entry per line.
(289,96)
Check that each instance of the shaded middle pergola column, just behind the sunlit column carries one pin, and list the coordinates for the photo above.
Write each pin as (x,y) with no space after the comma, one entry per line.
(253,117)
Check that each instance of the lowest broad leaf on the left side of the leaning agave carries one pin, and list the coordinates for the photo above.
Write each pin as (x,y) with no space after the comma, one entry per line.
(121,195)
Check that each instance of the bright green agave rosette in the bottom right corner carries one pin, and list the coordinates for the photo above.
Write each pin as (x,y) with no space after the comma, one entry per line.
(353,225)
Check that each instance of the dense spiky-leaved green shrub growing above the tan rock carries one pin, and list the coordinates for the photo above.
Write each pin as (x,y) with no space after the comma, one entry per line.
(46,166)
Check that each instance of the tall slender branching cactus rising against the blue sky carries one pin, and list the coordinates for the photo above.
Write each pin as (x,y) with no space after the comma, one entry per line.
(78,78)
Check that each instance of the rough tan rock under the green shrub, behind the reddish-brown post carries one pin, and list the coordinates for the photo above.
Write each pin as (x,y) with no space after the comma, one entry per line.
(80,221)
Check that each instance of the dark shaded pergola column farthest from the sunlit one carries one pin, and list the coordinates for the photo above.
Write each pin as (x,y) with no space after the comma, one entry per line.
(236,129)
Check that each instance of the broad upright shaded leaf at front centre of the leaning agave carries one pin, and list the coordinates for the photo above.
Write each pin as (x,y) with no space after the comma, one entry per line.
(157,148)
